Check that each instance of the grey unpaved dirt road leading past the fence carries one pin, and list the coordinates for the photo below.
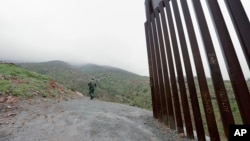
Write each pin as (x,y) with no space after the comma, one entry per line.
(81,120)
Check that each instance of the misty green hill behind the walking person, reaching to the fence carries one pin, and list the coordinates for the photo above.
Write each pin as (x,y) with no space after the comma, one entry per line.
(113,84)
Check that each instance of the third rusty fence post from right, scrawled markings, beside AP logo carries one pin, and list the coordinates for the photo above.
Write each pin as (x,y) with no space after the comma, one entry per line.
(218,81)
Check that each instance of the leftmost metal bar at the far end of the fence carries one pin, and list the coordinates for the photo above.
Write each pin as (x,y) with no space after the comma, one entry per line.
(150,71)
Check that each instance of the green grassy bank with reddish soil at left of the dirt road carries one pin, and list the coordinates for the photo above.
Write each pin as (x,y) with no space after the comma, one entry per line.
(23,83)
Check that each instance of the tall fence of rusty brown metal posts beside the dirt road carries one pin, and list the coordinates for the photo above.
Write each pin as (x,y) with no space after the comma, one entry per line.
(162,69)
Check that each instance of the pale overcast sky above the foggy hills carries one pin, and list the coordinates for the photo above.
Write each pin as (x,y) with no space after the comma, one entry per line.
(104,32)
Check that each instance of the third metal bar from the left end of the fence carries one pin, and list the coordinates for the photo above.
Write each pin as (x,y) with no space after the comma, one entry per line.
(161,81)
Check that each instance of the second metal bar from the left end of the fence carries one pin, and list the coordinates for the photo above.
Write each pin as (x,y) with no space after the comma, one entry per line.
(155,75)
